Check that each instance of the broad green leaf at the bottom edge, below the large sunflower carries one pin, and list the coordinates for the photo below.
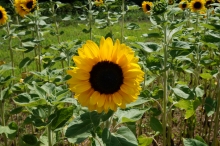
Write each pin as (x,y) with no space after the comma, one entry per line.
(123,137)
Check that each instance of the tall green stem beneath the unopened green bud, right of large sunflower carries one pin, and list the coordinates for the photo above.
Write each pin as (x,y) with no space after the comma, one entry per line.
(165,78)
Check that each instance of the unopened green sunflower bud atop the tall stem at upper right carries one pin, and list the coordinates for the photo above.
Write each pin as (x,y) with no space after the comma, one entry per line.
(159,7)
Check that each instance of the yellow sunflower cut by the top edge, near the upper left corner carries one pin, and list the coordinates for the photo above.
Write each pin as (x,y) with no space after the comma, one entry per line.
(23,7)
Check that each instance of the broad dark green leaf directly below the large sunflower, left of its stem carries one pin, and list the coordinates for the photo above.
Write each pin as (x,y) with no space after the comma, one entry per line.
(82,124)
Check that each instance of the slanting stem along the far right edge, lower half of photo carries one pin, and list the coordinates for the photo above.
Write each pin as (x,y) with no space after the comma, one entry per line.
(217,113)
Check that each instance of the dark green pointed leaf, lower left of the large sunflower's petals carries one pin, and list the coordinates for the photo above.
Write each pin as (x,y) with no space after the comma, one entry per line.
(63,115)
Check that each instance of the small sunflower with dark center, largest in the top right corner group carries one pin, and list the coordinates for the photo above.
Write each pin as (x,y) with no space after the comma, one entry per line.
(197,5)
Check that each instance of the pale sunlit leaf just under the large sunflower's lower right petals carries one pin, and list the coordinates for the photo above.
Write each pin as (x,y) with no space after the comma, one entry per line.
(129,115)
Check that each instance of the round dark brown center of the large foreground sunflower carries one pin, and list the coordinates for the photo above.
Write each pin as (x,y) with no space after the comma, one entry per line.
(106,77)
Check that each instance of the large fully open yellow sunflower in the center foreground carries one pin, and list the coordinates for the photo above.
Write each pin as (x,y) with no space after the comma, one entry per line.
(105,77)
